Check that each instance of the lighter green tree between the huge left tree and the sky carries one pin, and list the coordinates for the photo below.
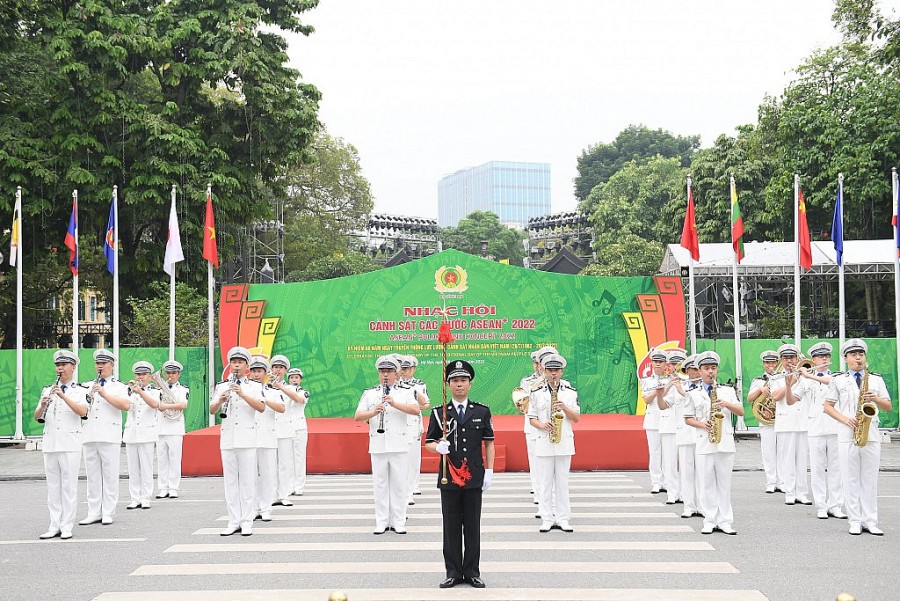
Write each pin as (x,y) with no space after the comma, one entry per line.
(328,199)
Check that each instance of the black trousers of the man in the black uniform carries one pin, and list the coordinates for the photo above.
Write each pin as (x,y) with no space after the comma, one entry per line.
(461,509)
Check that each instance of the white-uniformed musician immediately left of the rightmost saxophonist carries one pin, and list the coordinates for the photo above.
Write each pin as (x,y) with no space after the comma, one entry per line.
(821,436)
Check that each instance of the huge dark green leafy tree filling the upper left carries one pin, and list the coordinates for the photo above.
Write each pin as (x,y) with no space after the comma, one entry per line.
(144,94)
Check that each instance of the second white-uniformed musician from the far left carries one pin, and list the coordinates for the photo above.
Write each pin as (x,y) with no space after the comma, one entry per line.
(103,440)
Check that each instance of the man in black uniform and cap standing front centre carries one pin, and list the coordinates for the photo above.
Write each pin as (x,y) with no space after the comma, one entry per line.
(467,474)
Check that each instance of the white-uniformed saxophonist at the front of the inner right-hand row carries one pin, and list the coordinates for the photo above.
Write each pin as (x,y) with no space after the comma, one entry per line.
(714,461)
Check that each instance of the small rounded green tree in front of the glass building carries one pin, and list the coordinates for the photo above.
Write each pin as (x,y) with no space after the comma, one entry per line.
(503,242)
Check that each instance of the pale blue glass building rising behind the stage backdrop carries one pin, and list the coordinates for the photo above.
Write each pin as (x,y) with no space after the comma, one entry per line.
(515,192)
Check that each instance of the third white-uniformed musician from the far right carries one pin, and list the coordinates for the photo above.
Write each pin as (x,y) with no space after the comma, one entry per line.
(791,422)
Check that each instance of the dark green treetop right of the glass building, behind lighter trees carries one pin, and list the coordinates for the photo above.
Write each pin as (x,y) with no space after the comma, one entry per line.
(634,143)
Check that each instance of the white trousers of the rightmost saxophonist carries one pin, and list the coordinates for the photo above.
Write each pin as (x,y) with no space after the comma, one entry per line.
(859,473)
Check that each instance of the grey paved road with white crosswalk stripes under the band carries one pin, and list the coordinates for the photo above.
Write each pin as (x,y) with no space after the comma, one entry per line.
(628,546)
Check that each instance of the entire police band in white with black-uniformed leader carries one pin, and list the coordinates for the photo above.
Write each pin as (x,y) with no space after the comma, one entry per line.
(810,419)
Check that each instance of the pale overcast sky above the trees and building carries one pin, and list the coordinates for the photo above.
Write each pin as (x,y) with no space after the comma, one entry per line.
(424,88)
